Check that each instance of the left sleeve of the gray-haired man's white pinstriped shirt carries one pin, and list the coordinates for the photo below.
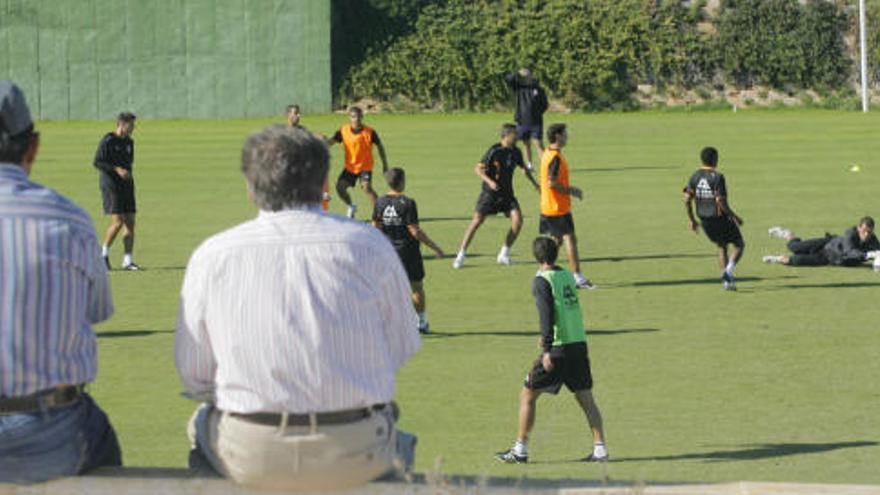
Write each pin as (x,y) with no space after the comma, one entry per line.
(193,354)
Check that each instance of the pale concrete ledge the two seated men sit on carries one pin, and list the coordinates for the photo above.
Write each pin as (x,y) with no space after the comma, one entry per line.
(153,481)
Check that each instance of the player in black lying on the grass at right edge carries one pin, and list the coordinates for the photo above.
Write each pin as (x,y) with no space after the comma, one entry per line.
(852,248)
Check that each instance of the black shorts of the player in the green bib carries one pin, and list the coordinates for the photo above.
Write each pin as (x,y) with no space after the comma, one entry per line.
(572,368)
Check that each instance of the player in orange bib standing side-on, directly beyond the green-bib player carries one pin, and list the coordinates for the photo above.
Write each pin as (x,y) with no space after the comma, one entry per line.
(556,194)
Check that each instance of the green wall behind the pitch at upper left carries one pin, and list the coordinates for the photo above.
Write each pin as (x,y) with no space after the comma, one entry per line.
(91,59)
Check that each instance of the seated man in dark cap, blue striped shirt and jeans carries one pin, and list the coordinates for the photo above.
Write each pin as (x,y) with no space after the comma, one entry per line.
(53,287)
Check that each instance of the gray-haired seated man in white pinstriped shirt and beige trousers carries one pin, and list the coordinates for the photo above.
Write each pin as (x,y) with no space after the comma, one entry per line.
(292,327)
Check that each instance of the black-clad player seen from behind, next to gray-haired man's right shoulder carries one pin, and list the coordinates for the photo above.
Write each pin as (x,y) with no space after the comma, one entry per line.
(397,217)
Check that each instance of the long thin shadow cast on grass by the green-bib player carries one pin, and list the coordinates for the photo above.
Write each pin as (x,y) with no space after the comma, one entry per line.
(755,452)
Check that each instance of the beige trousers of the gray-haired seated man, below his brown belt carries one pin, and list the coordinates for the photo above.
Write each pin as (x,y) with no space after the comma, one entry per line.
(299,458)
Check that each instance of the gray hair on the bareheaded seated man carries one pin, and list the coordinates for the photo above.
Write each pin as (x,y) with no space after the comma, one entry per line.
(285,167)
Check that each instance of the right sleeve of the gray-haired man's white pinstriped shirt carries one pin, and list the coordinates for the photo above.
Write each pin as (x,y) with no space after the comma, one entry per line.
(395,304)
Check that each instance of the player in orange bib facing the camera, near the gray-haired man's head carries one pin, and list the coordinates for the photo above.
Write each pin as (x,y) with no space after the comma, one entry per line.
(358,140)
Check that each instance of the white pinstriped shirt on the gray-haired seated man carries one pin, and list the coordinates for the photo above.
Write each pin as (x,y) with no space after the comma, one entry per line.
(295,311)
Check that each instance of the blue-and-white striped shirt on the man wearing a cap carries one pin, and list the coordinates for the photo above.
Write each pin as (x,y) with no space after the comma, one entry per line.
(53,287)
